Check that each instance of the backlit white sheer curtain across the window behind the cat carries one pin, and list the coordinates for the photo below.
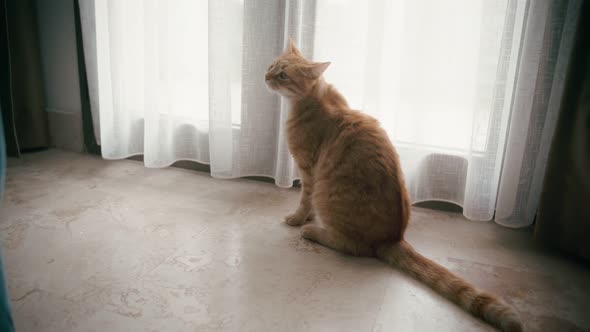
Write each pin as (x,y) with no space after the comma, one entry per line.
(183,80)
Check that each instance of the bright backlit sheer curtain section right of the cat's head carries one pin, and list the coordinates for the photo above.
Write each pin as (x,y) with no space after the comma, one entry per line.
(439,76)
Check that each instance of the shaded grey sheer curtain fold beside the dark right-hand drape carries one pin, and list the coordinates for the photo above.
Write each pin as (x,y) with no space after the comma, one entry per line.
(546,51)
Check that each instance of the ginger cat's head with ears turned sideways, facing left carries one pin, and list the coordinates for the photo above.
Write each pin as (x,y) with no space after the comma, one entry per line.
(292,75)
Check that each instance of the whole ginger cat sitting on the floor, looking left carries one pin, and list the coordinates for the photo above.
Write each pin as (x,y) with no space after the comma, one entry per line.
(352,182)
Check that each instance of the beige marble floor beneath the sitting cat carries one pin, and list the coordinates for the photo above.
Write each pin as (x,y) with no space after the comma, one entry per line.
(94,245)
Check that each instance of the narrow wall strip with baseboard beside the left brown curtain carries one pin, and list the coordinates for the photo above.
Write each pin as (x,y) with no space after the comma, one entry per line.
(59,59)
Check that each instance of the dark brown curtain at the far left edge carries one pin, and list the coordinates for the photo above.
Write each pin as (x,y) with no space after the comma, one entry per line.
(21,90)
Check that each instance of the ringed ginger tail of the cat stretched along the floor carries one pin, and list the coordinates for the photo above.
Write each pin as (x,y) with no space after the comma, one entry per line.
(478,303)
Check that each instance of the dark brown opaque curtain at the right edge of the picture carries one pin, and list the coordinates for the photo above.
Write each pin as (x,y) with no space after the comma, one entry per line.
(562,220)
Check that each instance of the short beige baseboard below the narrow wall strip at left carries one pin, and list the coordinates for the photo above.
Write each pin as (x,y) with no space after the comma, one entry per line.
(65,130)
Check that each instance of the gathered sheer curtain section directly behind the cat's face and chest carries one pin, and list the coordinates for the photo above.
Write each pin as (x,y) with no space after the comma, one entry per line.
(246,121)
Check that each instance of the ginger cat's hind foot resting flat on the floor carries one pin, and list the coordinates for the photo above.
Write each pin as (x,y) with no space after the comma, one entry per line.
(336,240)
